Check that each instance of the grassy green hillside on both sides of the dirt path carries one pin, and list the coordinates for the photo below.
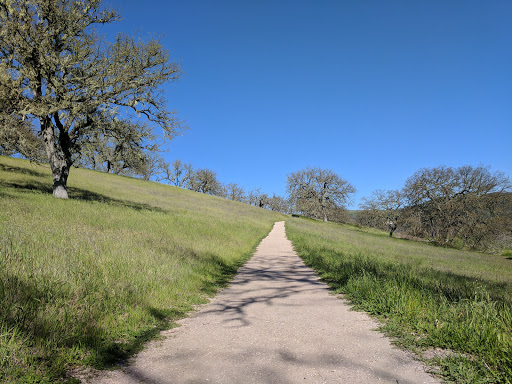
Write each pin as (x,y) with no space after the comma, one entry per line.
(87,281)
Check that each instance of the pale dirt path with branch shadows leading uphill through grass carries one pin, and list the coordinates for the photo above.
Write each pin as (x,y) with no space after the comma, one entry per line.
(276,323)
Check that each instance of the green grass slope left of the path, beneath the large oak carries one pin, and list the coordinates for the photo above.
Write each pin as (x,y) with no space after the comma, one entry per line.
(86,281)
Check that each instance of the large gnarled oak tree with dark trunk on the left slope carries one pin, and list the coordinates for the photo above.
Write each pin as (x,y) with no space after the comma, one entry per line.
(55,69)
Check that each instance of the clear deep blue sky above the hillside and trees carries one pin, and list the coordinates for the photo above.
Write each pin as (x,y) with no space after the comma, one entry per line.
(372,89)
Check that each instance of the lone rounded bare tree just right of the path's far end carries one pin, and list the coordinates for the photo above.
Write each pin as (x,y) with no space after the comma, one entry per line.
(317,192)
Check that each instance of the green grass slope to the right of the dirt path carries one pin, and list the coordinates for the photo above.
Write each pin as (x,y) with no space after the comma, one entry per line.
(429,298)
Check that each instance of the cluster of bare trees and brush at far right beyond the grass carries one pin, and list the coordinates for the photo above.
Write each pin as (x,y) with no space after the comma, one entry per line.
(463,207)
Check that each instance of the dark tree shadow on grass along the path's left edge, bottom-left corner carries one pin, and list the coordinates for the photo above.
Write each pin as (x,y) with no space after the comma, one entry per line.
(24,302)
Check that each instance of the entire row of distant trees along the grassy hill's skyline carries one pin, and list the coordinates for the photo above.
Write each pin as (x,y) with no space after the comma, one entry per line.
(460,207)
